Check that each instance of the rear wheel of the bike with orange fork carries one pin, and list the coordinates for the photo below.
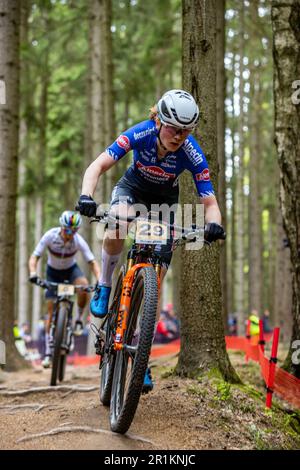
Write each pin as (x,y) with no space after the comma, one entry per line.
(108,359)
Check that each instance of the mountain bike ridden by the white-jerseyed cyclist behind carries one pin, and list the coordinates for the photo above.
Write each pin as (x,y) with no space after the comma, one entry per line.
(61,329)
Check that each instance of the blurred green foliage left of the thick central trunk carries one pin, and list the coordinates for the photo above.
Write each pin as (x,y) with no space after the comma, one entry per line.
(146,56)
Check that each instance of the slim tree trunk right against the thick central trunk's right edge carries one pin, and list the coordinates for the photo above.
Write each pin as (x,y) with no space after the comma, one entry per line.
(220,53)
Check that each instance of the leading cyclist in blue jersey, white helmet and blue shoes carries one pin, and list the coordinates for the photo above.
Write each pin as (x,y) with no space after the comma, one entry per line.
(163,147)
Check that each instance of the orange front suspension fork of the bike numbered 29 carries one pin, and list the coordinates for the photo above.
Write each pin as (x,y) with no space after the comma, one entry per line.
(125,303)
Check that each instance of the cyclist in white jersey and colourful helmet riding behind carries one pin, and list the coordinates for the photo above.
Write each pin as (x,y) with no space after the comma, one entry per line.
(63,243)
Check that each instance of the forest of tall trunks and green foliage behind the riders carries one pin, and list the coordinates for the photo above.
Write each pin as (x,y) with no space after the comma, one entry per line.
(75,74)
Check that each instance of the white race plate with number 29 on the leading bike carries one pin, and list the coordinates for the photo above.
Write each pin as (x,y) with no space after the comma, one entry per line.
(150,232)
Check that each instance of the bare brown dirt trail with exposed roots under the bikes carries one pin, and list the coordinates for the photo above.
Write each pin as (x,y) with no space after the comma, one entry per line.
(37,413)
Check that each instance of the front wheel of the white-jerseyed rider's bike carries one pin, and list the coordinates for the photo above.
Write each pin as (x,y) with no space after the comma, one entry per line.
(60,329)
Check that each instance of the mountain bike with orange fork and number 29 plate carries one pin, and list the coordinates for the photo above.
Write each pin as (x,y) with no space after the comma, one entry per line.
(124,339)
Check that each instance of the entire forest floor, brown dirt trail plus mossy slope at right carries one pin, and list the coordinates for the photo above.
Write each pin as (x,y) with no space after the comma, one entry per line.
(178,414)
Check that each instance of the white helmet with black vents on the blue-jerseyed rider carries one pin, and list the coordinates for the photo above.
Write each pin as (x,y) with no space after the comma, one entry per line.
(178,108)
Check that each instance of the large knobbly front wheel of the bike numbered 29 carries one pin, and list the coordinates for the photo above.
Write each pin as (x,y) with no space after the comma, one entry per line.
(132,361)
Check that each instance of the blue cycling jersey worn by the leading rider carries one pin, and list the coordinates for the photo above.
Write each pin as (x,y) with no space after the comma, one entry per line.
(148,173)
